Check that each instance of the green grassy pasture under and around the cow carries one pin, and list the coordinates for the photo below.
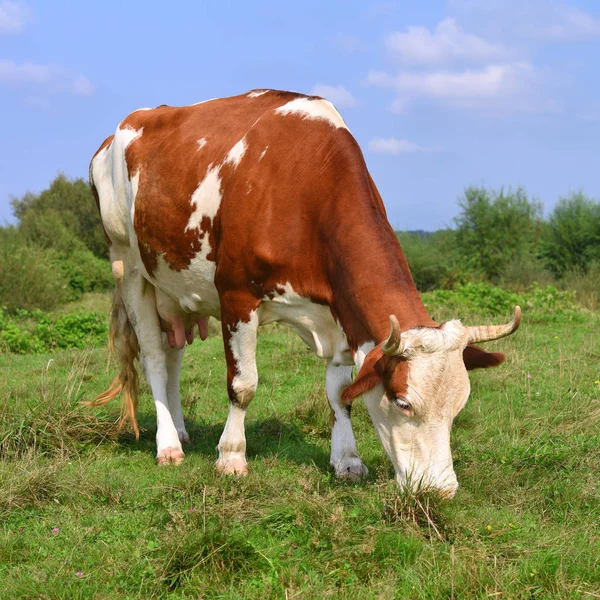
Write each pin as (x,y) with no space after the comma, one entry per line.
(85,513)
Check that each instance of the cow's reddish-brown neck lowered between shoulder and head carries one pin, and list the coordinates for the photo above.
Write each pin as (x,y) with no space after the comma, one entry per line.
(370,279)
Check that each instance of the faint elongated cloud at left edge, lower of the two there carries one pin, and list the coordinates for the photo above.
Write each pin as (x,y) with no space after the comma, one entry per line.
(53,78)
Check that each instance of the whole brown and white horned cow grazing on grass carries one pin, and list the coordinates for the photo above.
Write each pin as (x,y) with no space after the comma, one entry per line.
(257,209)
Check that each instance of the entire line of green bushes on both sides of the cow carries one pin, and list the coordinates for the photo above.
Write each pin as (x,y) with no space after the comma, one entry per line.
(57,251)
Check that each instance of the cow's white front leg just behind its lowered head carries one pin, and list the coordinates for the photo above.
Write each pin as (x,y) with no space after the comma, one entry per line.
(344,455)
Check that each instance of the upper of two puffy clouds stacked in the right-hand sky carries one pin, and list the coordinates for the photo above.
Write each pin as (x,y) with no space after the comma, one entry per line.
(447,43)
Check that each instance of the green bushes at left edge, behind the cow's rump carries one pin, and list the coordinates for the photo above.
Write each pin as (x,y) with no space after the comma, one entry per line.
(56,251)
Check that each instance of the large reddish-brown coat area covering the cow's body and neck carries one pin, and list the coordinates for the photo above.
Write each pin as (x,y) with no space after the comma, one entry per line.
(307,212)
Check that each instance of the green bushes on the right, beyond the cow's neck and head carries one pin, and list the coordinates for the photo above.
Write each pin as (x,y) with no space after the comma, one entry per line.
(502,237)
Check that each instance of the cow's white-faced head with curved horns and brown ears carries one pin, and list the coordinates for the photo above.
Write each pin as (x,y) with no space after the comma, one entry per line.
(414,384)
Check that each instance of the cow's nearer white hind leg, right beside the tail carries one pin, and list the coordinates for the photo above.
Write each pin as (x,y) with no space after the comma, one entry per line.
(140,303)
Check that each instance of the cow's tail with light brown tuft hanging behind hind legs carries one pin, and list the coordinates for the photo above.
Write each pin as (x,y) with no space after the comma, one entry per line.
(123,344)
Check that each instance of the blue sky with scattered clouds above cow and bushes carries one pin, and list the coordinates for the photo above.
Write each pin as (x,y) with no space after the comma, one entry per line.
(440,94)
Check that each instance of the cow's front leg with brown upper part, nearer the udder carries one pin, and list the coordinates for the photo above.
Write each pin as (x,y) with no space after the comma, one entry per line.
(240,324)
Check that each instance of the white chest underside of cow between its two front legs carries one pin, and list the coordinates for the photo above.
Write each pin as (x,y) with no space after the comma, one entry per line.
(314,323)
